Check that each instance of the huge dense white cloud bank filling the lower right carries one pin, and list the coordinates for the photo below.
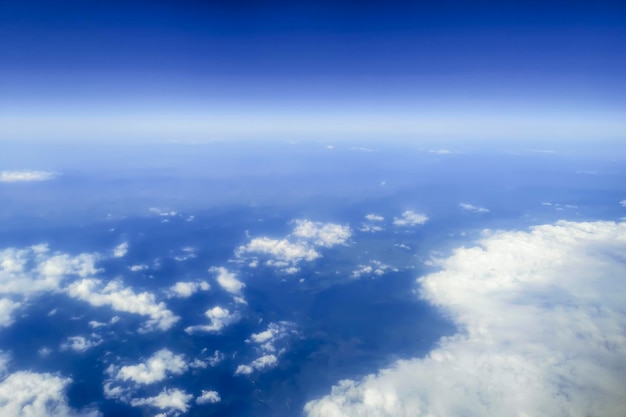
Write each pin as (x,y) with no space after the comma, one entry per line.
(541,332)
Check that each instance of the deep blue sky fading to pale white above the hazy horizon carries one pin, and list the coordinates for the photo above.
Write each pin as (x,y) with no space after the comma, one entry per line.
(192,70)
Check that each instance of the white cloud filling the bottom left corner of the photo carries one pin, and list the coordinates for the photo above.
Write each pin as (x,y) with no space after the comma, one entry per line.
(29,394)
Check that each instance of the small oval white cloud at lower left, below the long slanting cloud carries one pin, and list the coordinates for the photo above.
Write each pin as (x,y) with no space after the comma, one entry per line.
(155,369)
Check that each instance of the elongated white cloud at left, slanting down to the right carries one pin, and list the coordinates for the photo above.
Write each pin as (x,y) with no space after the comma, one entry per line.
(119,298)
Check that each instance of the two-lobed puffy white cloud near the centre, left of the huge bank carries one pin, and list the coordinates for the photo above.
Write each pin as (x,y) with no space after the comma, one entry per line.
(298,246)
